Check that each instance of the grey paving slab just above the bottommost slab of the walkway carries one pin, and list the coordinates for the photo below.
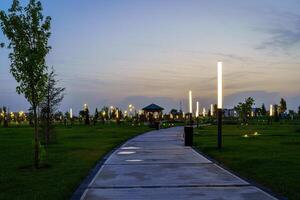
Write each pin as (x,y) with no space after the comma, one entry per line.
(164,175)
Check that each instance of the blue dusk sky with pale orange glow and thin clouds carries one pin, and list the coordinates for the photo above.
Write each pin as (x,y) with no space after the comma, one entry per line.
(137,51)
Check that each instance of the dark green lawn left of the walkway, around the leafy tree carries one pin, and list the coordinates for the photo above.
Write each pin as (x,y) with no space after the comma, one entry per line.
(77,151)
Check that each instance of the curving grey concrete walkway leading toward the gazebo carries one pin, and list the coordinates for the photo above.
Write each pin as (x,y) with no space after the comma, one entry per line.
(157,165)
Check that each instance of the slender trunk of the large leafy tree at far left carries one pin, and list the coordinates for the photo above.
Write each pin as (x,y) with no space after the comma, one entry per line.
(36,139)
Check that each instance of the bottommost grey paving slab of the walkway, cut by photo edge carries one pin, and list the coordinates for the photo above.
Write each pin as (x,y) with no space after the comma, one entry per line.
(189,193)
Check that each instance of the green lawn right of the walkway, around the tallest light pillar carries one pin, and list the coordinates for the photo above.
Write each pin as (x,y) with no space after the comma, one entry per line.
(272,158)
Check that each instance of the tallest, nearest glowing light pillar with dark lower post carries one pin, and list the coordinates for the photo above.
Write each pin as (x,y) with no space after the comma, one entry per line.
(220,105)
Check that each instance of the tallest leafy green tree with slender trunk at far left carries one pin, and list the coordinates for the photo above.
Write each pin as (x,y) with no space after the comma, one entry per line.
(28,32)
